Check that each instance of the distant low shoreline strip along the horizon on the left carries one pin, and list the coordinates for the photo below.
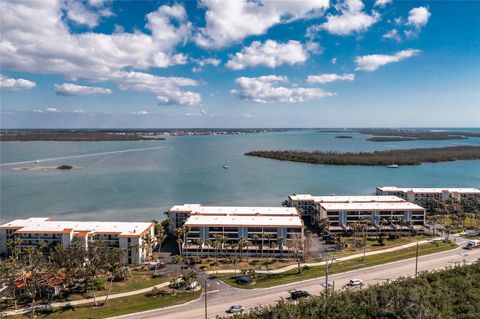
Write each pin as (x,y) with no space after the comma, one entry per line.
(116,134)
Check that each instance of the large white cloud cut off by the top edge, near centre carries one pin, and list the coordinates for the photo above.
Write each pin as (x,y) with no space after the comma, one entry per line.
(230,22)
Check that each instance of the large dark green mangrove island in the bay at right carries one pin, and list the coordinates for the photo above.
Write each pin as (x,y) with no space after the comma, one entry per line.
(414,156)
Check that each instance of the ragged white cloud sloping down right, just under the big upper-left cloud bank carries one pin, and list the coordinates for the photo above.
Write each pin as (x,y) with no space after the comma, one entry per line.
(167,89)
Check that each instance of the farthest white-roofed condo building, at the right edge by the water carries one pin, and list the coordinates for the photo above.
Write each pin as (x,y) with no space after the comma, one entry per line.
(423,196)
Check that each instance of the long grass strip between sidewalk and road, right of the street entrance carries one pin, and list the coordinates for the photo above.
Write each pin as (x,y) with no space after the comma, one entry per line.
(265,281)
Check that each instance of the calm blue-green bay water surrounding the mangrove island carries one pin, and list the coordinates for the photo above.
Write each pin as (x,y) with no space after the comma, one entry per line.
(142,184)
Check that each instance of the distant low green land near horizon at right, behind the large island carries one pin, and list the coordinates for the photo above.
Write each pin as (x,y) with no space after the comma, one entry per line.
(393,135)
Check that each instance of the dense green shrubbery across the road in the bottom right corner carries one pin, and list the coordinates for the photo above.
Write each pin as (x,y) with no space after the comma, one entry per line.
(451,293)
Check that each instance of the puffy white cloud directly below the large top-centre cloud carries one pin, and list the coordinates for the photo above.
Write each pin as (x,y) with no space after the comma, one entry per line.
(270,53)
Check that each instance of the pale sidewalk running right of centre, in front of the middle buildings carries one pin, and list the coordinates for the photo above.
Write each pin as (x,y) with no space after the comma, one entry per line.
(321,263)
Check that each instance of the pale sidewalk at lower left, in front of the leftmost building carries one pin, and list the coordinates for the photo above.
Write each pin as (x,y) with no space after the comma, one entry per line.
(99,299)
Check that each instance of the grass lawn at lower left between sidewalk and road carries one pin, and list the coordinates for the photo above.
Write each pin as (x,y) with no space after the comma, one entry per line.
(117,307)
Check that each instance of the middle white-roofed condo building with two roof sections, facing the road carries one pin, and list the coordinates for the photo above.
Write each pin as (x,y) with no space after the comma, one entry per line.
(276,231)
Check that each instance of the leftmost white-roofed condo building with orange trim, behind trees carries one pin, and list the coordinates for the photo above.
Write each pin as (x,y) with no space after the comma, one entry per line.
(33,231)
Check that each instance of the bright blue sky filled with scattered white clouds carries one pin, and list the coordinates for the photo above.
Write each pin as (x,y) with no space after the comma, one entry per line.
(238,63)
